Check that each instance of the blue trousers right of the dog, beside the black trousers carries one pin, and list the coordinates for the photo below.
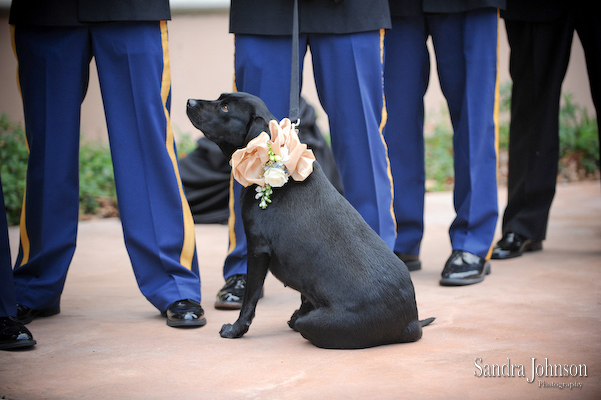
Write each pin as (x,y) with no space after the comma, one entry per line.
(466,56)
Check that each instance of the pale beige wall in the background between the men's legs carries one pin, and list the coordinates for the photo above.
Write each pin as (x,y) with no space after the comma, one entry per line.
(202,51)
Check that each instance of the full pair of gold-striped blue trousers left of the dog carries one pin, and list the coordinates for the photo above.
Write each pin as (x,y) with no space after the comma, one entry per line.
(133,68)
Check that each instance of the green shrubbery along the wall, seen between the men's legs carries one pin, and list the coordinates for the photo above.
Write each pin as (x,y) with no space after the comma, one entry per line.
(579,157)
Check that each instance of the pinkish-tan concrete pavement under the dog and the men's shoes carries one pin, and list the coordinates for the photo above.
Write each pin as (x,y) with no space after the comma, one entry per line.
(108,342)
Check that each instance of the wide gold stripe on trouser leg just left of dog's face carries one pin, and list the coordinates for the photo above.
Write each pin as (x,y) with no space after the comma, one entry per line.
(187,254)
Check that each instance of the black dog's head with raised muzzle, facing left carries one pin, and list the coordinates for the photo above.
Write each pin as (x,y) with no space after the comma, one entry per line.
(231,121)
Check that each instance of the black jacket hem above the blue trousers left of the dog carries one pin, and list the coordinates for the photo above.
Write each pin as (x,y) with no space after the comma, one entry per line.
(82,12)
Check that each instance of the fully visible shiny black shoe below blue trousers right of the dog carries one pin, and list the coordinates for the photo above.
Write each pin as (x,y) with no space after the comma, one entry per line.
(464,268)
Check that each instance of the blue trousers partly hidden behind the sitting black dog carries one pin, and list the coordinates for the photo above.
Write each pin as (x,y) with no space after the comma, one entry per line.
(348,73)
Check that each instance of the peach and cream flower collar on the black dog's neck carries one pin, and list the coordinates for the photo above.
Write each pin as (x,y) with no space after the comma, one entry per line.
(268,162)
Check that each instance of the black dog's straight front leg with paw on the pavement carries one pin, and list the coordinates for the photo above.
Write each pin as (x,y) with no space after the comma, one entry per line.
(255,278)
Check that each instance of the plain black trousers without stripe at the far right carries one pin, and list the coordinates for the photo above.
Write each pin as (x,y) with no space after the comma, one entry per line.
(540,53)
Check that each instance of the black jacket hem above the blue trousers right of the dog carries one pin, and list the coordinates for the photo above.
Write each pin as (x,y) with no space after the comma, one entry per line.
(404,8)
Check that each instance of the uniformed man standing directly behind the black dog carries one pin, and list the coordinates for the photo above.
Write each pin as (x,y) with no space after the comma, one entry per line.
(345,40)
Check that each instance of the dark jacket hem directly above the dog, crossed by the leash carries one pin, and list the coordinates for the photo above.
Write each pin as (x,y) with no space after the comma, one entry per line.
(274,17)
